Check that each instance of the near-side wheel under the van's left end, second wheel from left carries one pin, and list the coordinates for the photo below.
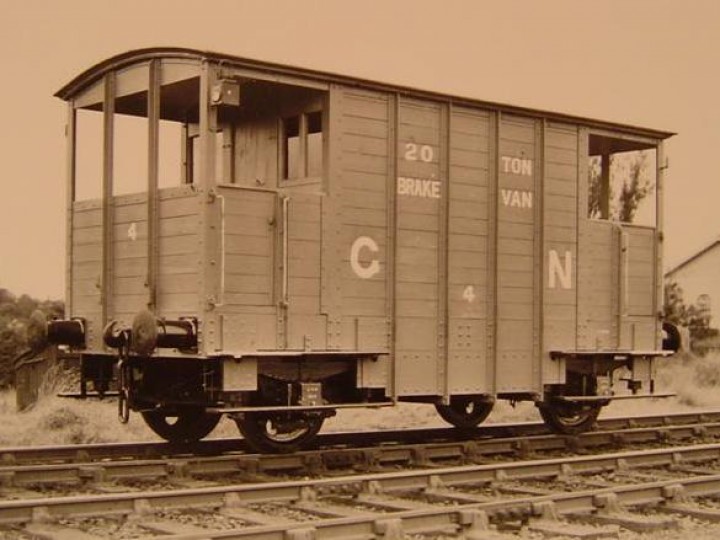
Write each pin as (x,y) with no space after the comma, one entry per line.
(279,432)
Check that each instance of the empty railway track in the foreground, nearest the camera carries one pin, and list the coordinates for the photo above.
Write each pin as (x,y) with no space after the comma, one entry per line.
(582,496)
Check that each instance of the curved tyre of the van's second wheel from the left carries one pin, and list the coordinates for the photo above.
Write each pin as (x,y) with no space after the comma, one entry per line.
(254,427)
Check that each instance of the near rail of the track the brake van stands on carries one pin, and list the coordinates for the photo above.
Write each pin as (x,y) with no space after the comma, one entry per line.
(188,466)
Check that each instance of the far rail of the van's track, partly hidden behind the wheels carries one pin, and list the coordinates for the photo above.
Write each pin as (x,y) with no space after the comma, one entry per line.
(91,452)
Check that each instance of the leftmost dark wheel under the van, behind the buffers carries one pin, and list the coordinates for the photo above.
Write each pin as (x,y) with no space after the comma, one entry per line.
(185,426)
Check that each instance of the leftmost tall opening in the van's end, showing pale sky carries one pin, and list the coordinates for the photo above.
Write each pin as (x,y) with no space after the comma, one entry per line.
(88,154)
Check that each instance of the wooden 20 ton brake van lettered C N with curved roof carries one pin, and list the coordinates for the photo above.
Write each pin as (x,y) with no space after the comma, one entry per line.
(275,244)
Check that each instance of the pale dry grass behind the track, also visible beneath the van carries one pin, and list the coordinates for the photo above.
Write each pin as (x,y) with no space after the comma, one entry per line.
(55,420)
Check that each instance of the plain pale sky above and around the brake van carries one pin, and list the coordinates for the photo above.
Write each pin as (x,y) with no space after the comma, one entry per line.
(653,63)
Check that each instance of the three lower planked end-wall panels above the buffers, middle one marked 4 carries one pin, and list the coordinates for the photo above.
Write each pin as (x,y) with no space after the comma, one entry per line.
(178,268)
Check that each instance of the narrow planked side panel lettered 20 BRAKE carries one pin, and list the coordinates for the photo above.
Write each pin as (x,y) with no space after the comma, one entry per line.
(417,257)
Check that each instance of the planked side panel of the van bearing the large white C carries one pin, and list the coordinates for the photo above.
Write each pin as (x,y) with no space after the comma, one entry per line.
(362,204)
